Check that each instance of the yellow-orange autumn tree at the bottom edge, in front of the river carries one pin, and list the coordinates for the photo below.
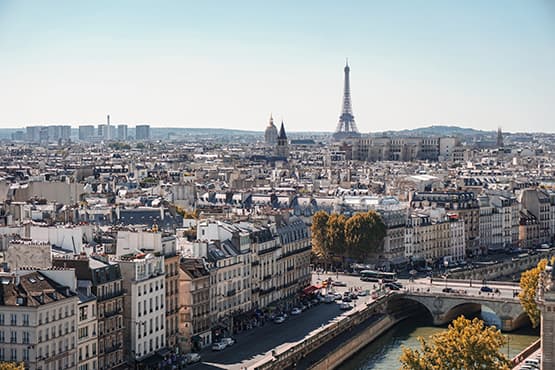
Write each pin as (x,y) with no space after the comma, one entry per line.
(464,345)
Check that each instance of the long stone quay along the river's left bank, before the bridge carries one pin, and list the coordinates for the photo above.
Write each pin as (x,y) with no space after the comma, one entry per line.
(293,356)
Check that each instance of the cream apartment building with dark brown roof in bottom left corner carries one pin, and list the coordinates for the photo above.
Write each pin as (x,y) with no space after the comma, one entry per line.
(38,321)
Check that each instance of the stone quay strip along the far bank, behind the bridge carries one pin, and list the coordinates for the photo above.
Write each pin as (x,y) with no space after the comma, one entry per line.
(510,268)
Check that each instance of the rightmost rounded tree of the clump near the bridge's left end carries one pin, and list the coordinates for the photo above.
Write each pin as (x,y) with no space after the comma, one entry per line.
(364,235)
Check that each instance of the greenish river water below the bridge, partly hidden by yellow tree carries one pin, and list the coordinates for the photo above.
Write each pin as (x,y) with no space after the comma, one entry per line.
(384,353)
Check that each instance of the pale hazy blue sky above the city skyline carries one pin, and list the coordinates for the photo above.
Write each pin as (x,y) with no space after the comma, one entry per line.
(480,64)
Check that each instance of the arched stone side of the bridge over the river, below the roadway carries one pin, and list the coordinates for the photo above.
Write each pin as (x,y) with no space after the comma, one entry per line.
(445,307)
